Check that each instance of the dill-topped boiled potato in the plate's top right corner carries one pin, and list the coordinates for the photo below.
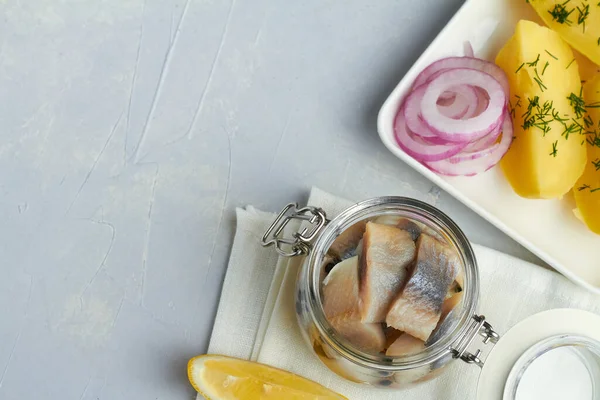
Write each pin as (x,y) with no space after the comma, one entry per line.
(578,22)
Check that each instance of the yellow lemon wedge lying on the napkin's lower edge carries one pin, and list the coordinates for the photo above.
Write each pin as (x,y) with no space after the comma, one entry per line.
(226,378)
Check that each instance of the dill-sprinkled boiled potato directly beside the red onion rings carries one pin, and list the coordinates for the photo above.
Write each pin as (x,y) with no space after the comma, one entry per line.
(548,153)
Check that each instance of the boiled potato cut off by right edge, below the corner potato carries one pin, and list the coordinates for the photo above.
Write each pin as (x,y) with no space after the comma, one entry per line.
(587,188)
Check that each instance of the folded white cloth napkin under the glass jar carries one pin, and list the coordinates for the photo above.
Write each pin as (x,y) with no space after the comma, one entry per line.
(256,317)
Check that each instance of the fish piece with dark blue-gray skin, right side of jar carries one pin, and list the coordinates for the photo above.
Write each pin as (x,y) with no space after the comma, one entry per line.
(417,309)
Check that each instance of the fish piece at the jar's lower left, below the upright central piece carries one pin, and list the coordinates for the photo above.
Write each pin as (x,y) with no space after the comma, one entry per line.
(367,337)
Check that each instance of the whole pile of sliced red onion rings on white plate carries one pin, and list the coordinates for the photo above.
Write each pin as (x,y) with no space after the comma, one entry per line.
(455,120)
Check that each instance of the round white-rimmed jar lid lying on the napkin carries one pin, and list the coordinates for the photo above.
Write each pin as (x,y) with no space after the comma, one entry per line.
(551,355)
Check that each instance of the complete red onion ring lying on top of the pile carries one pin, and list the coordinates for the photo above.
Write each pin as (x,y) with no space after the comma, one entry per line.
(472,128)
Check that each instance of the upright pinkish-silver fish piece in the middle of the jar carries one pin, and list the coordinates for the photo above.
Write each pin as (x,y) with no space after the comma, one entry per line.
(387,252)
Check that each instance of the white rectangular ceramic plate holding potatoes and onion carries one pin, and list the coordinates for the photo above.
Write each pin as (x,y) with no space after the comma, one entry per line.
(548,228)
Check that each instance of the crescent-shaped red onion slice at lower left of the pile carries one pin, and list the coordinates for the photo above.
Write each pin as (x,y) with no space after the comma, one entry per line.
(418,148)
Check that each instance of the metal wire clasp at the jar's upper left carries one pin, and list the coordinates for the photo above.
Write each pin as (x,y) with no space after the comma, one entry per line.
(300,242)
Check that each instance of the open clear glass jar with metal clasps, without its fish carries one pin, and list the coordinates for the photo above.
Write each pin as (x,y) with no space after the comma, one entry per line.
(314,240)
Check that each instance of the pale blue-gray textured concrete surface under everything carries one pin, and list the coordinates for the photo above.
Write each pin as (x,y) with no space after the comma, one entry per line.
(130,131)
